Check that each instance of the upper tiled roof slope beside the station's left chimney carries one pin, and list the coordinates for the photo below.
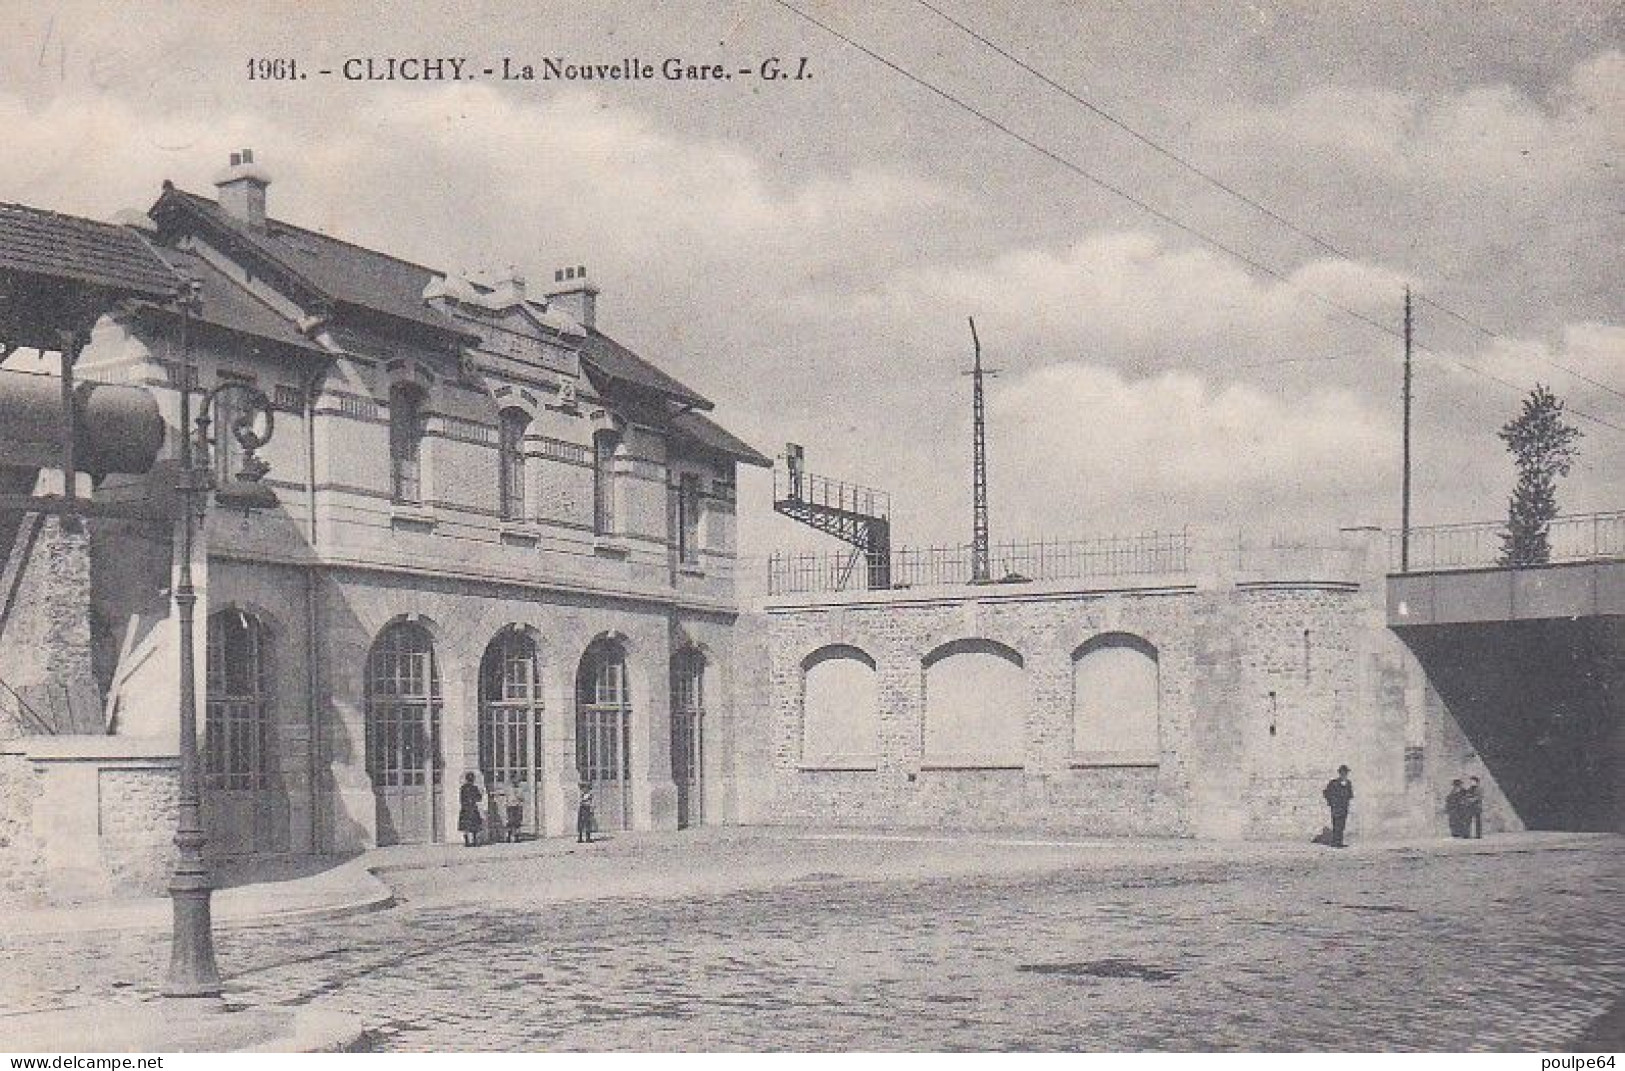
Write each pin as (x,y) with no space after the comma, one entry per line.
(344,272)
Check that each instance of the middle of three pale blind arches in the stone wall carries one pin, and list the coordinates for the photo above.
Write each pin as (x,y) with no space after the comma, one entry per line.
(976,706)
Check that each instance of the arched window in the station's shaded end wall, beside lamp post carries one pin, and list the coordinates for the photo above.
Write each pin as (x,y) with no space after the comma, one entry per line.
(236,714)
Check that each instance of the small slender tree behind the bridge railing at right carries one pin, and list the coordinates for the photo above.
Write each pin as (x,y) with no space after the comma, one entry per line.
(1543,448)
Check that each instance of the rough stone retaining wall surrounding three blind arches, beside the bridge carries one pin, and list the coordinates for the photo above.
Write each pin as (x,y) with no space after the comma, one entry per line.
(1272,672)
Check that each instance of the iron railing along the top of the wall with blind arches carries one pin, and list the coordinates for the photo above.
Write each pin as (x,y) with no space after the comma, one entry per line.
(1012,563)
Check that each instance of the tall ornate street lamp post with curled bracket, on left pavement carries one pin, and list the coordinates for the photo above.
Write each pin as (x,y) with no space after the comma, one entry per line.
(193,969)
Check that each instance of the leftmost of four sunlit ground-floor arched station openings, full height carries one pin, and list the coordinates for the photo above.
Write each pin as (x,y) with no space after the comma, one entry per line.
(404,734)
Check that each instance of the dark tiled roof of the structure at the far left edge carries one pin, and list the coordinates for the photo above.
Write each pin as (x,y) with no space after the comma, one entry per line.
(84,251)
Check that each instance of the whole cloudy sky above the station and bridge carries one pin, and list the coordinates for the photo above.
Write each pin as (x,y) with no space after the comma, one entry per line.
(807,253)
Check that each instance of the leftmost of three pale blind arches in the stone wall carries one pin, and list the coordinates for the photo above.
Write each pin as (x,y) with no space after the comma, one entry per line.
(841,709)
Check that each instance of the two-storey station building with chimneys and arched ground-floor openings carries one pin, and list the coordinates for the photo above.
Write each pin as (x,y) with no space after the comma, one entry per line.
(505,545)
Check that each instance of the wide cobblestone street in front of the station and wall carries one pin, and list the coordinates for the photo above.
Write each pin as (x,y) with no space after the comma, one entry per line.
(739,942)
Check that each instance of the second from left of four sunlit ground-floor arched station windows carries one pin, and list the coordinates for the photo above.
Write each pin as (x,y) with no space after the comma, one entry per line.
(509,709)
